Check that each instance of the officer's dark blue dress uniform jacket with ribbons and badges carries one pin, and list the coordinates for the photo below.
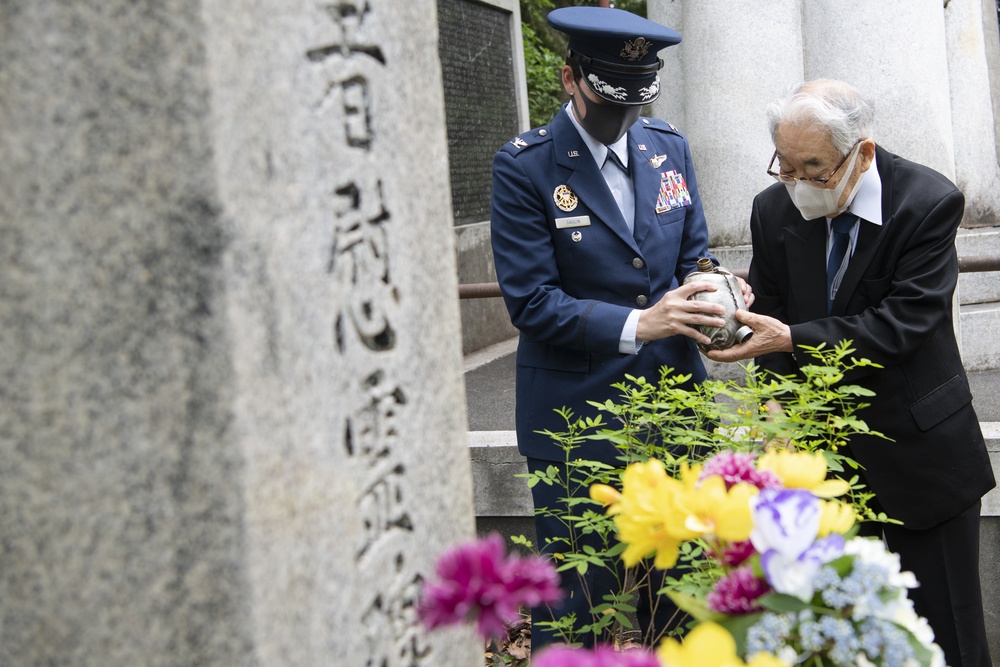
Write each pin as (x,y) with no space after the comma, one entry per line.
(570,275)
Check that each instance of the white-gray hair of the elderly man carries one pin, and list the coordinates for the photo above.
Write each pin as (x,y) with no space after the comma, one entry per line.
(843,111)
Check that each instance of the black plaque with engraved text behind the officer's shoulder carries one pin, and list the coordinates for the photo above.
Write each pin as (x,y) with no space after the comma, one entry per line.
(480,98)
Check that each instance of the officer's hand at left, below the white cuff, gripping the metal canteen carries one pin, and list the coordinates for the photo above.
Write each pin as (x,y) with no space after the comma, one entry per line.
(674,314)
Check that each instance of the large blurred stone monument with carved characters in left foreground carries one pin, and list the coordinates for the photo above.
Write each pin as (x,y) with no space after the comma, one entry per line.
(231,409)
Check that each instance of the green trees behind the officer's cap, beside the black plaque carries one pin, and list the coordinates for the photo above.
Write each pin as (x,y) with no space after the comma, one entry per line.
(545,52)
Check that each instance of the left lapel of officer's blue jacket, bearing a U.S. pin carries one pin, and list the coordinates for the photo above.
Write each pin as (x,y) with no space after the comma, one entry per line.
(586,180)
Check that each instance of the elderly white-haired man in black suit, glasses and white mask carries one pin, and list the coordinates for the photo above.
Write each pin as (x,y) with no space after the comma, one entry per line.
(856,243)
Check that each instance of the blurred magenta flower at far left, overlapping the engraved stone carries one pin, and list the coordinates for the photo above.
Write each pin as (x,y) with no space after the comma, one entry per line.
(476,581)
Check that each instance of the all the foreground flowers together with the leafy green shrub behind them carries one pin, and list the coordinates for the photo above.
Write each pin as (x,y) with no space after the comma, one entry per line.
(718,485)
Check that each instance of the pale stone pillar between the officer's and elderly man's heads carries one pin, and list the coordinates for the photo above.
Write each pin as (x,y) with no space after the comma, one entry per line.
(730,72)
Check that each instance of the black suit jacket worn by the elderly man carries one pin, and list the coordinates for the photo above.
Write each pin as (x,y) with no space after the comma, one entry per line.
(895,304)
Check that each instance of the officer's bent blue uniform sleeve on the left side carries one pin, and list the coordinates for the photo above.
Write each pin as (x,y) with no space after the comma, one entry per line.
(539,304)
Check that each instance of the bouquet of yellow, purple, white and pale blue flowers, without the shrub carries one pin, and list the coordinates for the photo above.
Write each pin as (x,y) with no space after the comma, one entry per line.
(791,584)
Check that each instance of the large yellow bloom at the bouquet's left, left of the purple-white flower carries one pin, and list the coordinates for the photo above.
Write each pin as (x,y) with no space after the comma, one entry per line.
(647,515)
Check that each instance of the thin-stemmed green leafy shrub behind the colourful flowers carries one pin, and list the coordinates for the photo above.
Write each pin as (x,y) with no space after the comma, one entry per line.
(679,425)
